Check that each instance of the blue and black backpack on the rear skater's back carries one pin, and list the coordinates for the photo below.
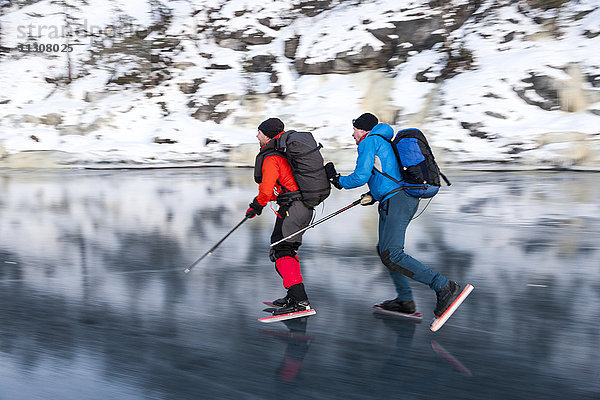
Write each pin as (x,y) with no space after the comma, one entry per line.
(418,168)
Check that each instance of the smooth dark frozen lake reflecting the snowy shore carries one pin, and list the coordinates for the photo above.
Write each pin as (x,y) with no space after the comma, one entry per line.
(94,303)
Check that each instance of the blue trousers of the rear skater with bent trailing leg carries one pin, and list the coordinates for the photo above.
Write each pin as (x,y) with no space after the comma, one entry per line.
(395,214)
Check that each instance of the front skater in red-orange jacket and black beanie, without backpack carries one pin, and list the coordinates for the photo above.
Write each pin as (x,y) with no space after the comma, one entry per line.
(276,182)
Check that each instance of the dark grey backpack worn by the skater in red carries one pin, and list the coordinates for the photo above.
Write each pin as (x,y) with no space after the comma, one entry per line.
(304,156)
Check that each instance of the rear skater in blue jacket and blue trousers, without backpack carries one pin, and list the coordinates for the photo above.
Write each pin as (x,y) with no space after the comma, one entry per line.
(396,208)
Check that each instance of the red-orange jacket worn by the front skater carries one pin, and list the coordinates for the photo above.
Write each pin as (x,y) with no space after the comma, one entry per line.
(273,174)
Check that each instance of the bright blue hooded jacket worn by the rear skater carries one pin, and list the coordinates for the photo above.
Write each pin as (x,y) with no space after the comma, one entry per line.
(374,151)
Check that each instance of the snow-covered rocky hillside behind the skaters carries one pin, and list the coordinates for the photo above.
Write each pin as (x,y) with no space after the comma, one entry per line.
(153,82)
